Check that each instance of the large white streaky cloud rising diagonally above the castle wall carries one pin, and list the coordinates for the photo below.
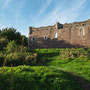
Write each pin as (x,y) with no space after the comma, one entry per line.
(62,13)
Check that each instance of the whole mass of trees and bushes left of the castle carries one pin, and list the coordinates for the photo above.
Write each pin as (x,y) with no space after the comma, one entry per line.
(13,49)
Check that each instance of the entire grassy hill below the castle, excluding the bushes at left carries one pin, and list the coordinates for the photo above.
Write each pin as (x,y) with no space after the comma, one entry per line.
(55,69)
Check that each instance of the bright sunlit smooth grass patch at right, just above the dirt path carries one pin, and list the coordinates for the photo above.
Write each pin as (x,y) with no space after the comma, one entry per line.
(77,67)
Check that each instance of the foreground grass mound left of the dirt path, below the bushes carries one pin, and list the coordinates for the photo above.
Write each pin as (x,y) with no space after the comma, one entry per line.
(36,78)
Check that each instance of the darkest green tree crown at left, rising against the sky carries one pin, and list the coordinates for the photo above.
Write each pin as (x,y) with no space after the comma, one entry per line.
(11,34)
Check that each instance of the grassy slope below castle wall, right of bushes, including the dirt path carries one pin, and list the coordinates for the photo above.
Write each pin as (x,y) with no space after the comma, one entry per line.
(78,65)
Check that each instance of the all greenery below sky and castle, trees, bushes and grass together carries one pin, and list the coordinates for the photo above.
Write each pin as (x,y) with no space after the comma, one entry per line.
(42,69)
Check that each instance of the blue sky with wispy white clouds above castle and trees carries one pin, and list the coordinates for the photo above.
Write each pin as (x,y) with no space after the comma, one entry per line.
(20,14)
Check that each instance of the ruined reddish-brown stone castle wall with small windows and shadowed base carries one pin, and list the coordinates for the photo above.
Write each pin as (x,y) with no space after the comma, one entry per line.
(68,35)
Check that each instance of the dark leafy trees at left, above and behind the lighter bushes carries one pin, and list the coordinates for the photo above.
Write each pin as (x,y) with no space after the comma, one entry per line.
(10,34)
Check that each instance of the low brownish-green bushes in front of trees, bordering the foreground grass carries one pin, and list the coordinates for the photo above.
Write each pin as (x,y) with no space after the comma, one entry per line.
(17,58)
